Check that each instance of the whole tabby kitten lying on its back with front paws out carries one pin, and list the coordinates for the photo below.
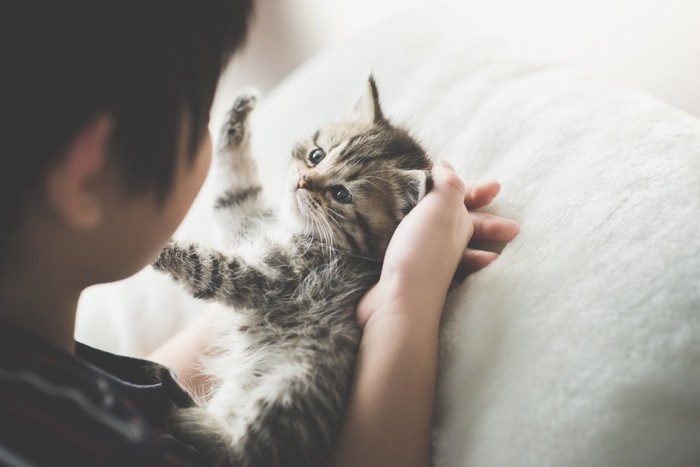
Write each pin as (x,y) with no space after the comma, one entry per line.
(293,278)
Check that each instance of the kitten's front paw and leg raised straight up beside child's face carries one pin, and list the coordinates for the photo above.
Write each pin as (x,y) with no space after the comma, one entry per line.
(239,193)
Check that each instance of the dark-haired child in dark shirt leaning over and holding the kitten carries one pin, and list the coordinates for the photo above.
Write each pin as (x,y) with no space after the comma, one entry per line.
(104,147)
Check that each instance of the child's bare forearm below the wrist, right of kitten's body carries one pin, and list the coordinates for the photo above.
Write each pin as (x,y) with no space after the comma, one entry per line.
(389,414)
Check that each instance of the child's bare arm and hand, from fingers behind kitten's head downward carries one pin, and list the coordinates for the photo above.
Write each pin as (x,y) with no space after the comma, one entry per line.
(390,411)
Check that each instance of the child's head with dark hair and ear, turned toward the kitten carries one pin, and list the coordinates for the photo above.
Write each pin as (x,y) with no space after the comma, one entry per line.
(132,81)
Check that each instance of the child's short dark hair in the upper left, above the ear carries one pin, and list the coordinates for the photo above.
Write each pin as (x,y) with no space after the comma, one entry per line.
(147,63)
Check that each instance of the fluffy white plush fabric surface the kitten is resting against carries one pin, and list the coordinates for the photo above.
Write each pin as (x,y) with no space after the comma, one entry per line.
(580,346)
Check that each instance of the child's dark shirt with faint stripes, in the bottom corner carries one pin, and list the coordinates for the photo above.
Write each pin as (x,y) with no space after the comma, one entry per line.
(88,409)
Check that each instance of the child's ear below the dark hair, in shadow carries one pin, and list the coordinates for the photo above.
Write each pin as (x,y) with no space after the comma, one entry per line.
(72,184)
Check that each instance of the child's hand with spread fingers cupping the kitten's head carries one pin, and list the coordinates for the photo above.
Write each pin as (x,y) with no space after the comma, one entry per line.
(429,246)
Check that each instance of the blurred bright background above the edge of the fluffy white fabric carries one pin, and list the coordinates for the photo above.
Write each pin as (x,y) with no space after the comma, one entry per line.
(651,45)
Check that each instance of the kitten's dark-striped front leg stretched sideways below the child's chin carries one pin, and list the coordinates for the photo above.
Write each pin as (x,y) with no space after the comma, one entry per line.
(229,279)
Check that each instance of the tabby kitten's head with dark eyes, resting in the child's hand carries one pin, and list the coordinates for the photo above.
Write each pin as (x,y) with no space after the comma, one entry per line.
(353,181)
